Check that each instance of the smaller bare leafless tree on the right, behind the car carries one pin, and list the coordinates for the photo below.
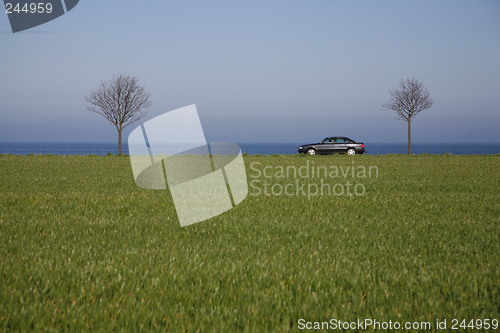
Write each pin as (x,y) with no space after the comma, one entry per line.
(411,98)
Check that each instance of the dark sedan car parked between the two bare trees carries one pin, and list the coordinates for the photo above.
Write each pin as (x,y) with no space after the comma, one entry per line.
(335,144)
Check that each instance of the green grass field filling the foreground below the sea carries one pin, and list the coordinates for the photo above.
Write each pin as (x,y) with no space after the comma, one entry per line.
(84,248)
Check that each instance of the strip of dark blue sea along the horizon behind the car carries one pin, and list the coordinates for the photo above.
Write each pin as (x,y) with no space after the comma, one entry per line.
(288,148)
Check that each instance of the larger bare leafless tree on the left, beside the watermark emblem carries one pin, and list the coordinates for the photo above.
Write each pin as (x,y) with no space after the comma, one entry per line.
(121,101)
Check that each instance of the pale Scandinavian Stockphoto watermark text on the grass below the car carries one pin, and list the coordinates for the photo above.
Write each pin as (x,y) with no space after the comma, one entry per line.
(310,180)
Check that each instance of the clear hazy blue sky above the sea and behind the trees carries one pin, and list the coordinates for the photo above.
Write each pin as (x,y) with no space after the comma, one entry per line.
(260,71)
